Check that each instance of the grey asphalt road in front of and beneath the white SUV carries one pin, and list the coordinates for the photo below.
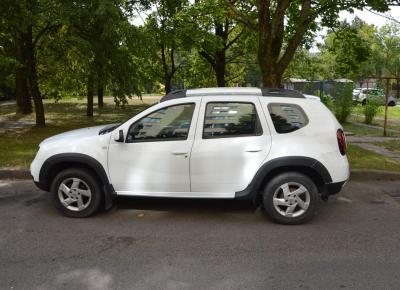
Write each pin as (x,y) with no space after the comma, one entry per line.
(354,243)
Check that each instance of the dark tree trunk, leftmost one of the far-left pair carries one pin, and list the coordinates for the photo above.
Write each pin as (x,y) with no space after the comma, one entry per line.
(24,104)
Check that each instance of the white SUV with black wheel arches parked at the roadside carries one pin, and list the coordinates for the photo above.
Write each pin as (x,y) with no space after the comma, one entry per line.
(274,147)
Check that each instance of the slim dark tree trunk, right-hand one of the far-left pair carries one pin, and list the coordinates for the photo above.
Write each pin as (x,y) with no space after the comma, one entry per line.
(33,79)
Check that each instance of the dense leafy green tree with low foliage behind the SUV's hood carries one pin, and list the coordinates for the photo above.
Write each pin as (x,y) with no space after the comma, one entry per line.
(101,36)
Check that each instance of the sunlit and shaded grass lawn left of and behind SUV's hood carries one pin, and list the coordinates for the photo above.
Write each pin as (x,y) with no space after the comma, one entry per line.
(19,146)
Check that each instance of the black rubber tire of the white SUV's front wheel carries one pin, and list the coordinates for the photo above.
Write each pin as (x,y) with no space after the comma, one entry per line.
(87,181)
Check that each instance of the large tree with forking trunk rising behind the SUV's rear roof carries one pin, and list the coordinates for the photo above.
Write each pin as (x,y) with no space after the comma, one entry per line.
(283,26)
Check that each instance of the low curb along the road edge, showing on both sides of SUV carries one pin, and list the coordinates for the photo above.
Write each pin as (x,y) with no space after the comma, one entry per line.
(355,175)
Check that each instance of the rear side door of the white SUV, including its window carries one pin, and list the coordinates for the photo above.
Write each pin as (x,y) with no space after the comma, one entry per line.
(231,143)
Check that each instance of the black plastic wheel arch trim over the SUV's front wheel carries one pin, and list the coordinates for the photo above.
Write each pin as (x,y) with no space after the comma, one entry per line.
(48,167)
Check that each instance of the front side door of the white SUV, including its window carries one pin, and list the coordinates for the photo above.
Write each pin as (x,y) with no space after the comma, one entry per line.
(154,158)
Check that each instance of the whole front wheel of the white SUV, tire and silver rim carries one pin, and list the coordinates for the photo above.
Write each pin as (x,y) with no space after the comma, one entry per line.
(76,193)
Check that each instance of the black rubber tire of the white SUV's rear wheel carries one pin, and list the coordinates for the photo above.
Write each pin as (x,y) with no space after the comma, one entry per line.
(293,180)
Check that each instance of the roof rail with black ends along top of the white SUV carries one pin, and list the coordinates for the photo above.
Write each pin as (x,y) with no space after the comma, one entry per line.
(266,92)
